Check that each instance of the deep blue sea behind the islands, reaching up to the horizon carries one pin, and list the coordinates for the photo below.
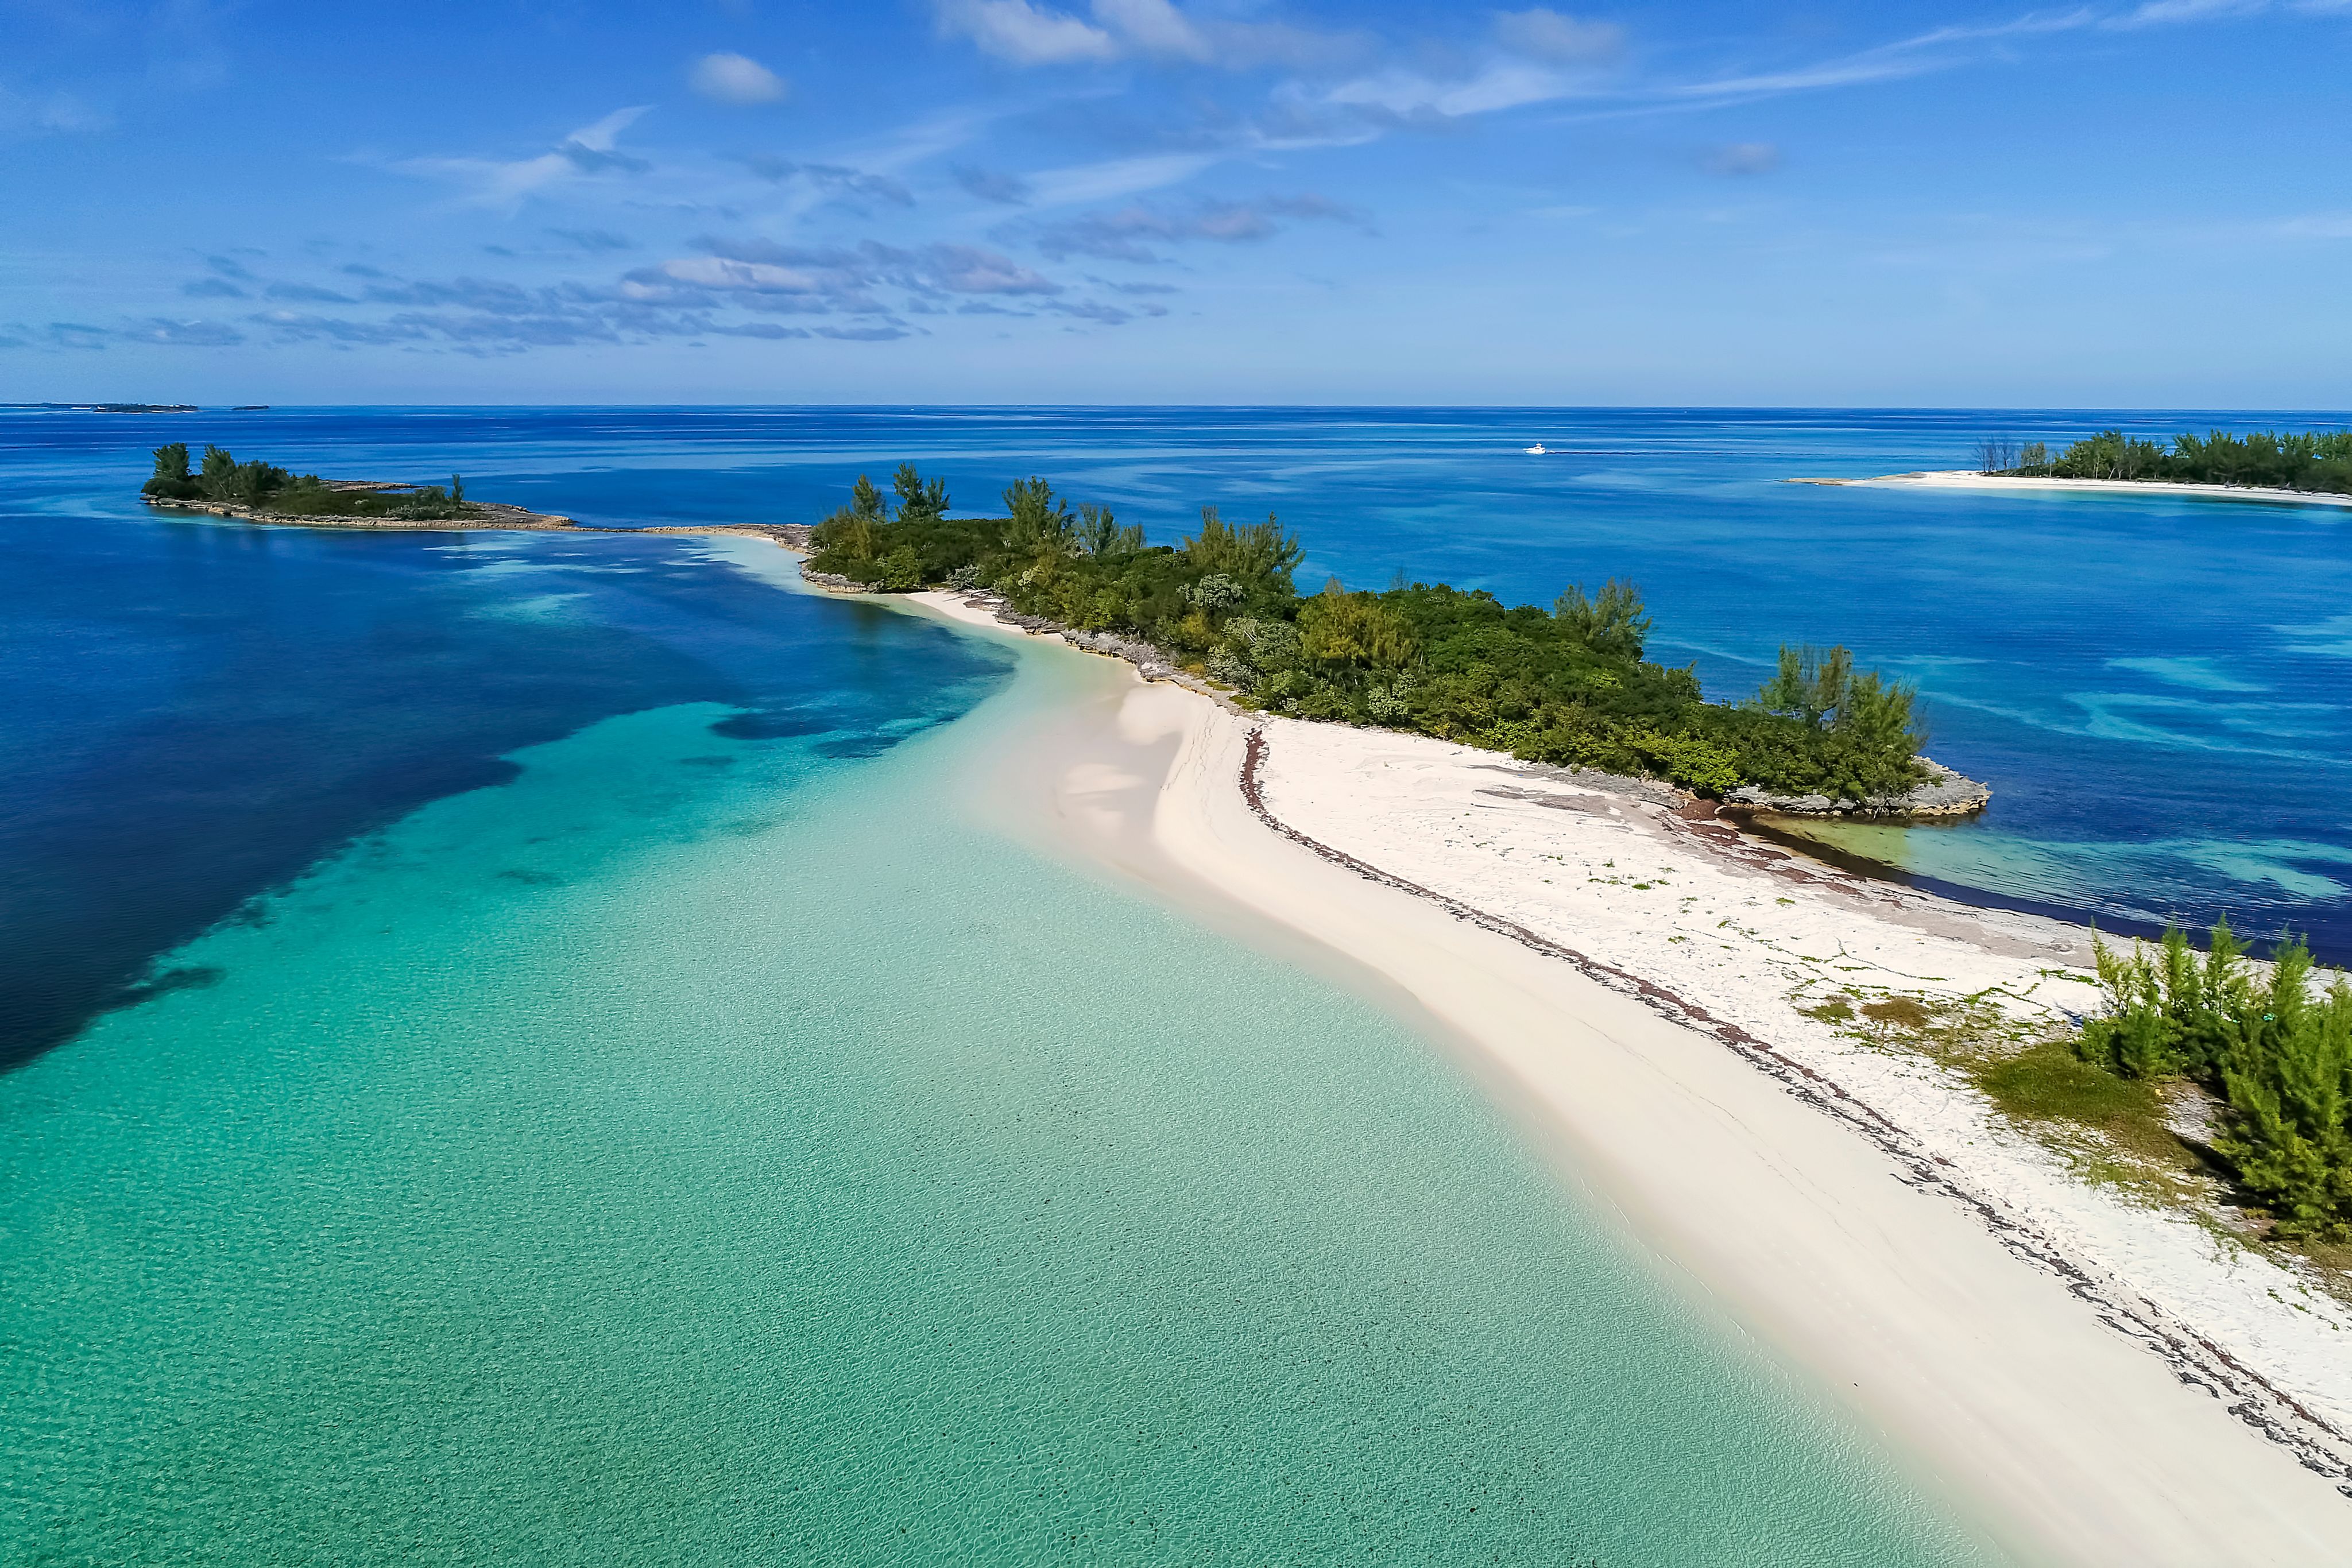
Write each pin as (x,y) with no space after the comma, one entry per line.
(2156,685)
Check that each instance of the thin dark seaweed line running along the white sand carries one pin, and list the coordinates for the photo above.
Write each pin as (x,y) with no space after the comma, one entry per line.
(2191,1355)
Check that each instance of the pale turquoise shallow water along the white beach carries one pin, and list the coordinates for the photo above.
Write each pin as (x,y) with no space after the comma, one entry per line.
(707,1148)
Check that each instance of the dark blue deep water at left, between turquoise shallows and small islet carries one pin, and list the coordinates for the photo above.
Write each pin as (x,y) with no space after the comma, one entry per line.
(199,713)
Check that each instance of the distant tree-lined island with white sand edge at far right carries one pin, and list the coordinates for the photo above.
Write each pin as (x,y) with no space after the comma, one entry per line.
(2301,467)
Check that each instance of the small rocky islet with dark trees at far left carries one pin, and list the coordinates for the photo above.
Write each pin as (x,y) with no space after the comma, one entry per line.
(265,492)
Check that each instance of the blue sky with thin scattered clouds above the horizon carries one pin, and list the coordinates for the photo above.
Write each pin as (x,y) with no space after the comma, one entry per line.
(1177,201)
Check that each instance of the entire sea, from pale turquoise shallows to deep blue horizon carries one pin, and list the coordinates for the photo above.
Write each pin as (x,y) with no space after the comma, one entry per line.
(514,1052)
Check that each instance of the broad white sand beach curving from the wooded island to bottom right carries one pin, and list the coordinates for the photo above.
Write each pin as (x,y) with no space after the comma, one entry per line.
(2092,1381)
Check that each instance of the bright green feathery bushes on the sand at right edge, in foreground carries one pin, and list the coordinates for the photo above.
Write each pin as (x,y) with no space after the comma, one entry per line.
(2276,1050)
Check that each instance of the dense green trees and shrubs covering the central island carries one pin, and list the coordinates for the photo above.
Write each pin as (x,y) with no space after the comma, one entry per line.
(1561,685)
